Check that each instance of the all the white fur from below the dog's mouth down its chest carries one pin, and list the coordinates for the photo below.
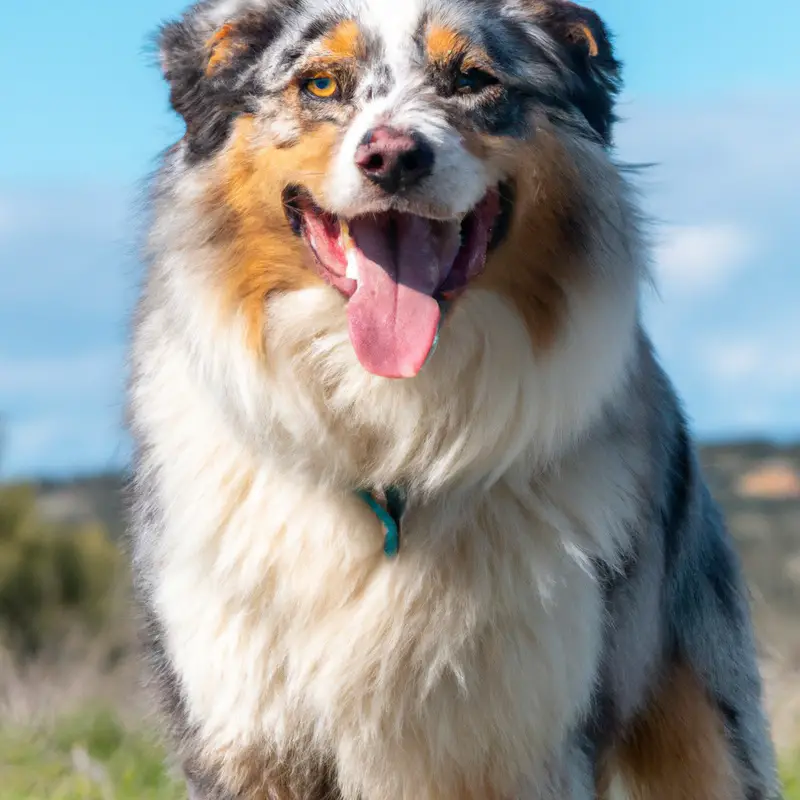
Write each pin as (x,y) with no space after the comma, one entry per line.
(466,658)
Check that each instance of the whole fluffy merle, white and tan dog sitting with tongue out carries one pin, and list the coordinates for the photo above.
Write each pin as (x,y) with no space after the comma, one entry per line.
(417,514)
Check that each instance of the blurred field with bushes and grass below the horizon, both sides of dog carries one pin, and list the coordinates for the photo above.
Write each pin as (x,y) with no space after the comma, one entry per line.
(74,723)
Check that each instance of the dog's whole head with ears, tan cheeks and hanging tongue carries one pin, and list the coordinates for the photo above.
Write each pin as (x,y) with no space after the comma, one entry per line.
(399,151)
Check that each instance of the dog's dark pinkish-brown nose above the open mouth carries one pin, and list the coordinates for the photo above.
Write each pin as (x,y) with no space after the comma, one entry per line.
(394,160)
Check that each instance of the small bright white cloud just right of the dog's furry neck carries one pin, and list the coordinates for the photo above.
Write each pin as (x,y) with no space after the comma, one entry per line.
(699,258)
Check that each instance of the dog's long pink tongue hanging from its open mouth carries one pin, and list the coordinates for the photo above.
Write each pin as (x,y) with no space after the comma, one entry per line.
(393,316)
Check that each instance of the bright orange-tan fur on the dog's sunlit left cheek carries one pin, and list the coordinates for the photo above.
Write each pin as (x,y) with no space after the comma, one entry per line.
(261,254)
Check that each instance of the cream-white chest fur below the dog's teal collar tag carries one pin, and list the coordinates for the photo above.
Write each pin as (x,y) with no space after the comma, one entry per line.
(469,653)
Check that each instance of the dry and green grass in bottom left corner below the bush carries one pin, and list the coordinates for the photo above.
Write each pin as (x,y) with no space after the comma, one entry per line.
(77,727)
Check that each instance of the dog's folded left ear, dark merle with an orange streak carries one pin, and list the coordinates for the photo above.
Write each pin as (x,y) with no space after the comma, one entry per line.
(204,65)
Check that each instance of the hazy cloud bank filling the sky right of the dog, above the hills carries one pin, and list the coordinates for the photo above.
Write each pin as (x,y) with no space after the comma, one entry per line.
(723,200)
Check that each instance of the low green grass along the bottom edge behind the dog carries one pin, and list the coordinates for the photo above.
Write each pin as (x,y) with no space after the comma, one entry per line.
(93,756)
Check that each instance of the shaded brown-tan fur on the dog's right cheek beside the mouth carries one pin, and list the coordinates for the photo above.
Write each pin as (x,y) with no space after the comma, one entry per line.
(536,266)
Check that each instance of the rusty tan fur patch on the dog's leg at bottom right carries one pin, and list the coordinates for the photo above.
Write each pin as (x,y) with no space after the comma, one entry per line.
(676,750)
